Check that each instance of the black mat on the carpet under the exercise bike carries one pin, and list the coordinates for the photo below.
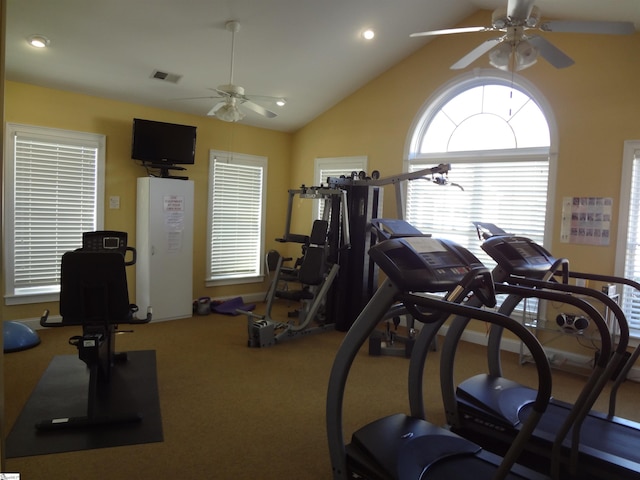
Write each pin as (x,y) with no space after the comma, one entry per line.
(63,392)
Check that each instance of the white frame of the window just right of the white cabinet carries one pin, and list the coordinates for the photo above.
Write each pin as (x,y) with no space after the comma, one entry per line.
(259,273)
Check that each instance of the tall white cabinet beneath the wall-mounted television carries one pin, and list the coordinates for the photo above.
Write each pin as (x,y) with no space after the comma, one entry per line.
(164,244)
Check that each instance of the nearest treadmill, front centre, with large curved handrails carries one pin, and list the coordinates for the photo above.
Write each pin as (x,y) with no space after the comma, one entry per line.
(401,446)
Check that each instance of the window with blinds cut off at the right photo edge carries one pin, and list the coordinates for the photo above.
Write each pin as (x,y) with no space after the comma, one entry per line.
(628,251)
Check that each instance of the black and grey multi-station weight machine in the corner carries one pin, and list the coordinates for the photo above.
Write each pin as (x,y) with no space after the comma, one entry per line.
(353,211)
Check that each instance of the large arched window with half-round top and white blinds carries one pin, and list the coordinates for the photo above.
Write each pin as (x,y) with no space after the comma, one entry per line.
(498,134)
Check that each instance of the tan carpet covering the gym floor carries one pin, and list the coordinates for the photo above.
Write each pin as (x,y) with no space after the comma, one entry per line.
(233,412)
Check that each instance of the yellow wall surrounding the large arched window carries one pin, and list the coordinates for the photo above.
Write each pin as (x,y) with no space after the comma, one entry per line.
(595,103)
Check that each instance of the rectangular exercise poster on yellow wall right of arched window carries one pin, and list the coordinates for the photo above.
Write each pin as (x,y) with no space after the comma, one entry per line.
(586,220)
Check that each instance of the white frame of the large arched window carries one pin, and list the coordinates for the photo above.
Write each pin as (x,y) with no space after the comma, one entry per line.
(465,82)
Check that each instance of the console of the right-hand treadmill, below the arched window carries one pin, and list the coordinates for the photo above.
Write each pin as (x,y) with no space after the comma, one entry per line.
(520,255)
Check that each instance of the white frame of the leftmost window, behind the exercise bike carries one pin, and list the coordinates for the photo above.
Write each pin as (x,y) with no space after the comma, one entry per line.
(66,137)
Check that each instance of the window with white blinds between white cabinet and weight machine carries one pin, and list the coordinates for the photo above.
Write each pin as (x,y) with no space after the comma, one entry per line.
(236,217)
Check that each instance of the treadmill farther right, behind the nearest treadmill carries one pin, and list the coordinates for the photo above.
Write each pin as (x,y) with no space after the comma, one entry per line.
(571,440)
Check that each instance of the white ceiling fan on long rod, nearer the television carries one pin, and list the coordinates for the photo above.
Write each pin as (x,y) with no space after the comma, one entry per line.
(233,97)
